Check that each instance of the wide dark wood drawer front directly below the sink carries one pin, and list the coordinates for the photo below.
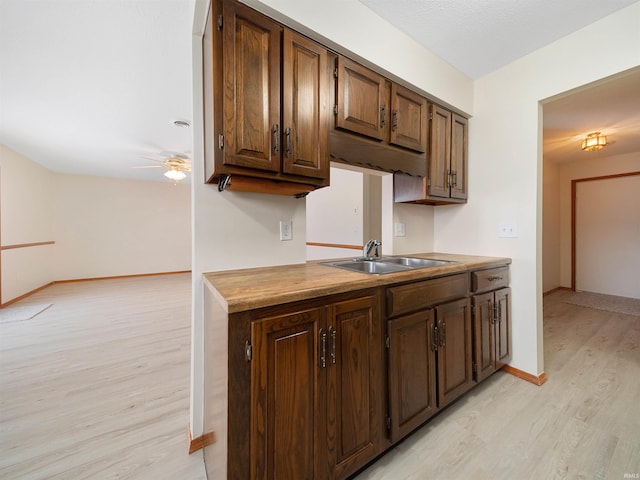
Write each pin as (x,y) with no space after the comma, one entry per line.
(416,296)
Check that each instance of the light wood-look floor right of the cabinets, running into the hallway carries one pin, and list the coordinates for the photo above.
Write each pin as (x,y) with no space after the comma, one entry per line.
(584,422)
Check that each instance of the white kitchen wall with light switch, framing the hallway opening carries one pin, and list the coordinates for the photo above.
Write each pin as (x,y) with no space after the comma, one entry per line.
(505,161)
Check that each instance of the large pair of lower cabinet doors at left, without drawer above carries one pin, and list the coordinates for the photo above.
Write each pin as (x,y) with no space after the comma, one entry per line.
(317,390)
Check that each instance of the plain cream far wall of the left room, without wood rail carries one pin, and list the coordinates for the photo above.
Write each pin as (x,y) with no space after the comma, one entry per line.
(109,227)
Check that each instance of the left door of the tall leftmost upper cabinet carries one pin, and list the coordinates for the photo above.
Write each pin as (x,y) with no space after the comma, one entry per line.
(251,44)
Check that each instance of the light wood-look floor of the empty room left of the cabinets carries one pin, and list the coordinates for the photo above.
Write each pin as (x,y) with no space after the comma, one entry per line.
(97,386)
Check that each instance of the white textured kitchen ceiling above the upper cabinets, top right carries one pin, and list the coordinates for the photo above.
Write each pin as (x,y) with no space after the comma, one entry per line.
(480,36)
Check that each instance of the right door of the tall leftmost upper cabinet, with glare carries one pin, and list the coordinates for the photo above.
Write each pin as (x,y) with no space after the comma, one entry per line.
(305,107)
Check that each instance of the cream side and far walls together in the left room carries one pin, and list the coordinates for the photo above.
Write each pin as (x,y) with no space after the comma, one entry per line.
(101,226)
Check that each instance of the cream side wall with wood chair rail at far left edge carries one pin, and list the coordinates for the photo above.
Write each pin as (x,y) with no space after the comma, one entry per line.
(27,212)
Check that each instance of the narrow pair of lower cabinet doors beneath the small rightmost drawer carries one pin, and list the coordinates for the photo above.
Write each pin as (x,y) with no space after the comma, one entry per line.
(492,336)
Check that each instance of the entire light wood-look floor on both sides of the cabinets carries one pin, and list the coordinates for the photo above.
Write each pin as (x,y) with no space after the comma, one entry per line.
(97,387)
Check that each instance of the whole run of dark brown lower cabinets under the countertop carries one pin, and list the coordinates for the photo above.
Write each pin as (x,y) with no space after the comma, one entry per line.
(312,393)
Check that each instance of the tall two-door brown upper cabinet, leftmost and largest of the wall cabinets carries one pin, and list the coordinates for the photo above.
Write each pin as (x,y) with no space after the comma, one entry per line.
(267,93)
